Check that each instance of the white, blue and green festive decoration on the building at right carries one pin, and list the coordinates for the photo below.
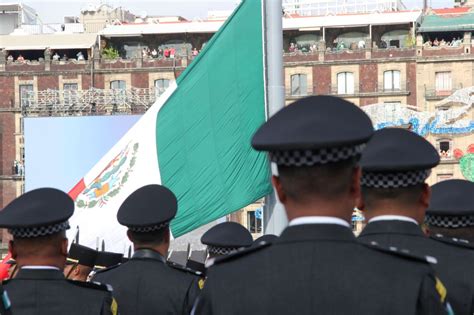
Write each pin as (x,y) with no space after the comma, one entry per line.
(453,116)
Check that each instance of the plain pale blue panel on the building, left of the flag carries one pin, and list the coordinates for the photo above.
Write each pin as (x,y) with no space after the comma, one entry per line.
(68,147)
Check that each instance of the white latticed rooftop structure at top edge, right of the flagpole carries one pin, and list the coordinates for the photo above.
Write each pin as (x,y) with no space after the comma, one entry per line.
(331,7)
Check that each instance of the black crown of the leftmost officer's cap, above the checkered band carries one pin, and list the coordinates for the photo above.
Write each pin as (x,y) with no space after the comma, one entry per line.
(41,207)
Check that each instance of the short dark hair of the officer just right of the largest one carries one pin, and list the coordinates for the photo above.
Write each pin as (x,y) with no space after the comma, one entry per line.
(402,195)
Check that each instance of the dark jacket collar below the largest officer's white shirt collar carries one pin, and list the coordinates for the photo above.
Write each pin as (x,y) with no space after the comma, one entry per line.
(314,232)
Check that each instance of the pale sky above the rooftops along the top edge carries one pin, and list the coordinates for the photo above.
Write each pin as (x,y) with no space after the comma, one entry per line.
(53,11)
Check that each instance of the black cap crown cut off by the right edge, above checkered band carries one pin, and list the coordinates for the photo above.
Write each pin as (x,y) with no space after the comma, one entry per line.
(454,197)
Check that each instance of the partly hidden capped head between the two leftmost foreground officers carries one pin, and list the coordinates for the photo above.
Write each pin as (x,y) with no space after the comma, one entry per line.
(80,262)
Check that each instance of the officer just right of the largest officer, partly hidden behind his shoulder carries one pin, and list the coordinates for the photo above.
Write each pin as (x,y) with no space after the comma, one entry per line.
(395,165)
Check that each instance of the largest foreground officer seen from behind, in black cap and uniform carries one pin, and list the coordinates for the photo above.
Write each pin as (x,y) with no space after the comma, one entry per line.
(317,266)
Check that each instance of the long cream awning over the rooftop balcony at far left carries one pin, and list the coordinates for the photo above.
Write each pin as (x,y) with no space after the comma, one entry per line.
(43,41)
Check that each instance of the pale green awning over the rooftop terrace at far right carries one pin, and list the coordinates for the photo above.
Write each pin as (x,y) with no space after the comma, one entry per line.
(447,23)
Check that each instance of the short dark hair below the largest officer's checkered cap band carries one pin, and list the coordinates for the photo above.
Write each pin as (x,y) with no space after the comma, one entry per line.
(325,180)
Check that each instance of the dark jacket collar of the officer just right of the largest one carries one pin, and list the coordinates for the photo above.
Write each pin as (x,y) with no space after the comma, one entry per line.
(392,227)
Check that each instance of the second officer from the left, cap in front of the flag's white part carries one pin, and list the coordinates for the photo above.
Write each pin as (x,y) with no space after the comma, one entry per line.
(146,284)
